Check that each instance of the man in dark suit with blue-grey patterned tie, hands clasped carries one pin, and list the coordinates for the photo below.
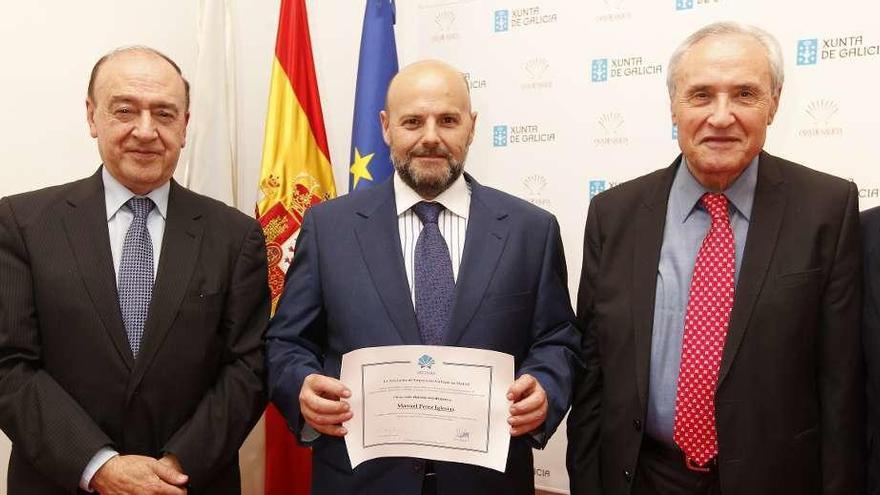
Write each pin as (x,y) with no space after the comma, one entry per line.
(108,381)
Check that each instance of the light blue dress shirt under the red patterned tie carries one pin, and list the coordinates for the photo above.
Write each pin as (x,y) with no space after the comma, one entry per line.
(687,223)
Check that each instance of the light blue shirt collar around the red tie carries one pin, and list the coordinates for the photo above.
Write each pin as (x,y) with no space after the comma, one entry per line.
(740,194)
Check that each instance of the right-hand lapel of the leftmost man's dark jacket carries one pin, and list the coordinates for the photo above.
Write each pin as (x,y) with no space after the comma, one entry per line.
(178,258)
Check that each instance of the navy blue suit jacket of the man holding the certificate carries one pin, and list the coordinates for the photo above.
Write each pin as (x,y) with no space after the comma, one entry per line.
(347,289)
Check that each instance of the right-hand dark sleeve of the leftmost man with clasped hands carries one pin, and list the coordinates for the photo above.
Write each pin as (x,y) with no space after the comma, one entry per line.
(210,439)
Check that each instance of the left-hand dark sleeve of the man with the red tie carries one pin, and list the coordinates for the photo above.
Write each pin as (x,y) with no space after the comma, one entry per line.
(582,457)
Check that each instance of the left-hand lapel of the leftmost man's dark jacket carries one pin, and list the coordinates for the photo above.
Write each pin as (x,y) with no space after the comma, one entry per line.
(85,222)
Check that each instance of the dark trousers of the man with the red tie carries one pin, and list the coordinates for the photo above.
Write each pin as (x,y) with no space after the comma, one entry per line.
(661,471)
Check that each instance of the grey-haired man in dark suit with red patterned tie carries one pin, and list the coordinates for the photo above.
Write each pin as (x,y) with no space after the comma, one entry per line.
(720,303)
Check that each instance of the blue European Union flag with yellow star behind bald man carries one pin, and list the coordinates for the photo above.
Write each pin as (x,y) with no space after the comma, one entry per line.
(370,160)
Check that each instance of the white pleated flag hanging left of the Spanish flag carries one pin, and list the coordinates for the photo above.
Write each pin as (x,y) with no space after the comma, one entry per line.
(209,164)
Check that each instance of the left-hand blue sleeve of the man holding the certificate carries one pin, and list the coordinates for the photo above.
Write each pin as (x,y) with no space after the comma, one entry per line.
(296,336)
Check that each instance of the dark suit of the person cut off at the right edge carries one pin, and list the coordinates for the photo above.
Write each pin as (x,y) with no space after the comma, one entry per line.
(871,340)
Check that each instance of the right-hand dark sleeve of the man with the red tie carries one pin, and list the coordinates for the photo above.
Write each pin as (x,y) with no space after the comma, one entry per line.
(841,391)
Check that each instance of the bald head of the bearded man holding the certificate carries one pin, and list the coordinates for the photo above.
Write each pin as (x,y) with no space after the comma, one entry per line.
(428,124)
